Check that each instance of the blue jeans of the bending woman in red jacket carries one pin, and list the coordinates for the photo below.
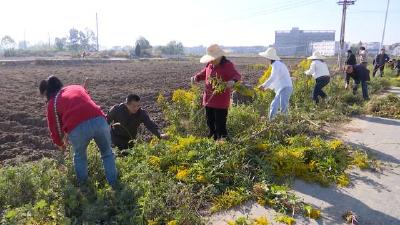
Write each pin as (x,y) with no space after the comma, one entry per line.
(99,130)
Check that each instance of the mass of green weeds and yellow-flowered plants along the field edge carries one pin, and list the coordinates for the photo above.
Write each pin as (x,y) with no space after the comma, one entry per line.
(183,179)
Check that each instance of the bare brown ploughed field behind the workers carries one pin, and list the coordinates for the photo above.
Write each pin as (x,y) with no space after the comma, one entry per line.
(23,129)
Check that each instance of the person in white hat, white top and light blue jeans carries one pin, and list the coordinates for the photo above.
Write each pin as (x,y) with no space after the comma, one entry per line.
(279,81)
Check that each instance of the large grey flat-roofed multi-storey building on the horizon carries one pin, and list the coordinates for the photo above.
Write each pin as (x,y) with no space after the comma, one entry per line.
(296,42)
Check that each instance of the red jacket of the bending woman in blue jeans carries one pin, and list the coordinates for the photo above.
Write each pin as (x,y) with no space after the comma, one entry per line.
(74,106)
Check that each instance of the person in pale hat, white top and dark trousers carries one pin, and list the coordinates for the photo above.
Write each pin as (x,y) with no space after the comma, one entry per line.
(320,72)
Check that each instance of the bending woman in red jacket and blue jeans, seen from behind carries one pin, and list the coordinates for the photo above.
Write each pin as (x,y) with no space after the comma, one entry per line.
(71,111)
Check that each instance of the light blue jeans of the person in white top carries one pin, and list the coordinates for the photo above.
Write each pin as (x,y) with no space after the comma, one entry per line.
(281,101)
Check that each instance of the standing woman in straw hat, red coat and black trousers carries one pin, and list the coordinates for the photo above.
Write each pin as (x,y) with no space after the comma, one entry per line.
(217,104)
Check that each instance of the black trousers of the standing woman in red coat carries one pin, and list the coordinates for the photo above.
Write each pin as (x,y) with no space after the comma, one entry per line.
(216,122)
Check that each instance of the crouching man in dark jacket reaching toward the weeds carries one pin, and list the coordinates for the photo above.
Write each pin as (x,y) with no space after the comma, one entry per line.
(125,119)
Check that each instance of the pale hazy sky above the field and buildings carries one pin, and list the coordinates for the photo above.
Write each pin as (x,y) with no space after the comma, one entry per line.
(195,22)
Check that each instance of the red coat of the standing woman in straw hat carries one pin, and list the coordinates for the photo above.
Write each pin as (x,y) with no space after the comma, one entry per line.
(226,72)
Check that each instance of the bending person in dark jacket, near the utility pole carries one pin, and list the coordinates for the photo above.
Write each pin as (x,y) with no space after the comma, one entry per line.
(360,75)
